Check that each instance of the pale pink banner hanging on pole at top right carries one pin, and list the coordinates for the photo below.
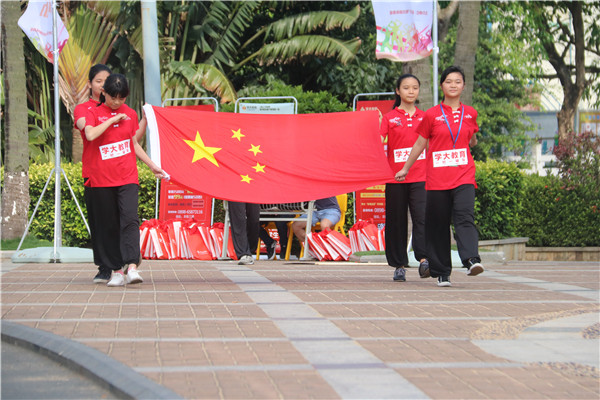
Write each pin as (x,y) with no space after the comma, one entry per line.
(403,29)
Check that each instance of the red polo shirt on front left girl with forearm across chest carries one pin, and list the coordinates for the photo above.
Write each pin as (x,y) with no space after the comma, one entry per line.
(113,161)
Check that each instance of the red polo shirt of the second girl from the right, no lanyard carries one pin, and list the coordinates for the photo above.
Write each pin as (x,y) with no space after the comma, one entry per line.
(401,131)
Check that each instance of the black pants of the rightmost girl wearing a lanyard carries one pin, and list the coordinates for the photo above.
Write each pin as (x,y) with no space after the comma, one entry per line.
(444,207)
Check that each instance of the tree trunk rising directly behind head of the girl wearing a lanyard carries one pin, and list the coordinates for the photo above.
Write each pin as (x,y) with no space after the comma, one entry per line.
(466,44)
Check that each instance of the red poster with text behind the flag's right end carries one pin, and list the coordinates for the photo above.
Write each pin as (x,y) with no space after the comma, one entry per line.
(370,202)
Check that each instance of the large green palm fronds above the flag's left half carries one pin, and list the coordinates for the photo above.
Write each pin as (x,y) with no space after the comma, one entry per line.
(213,37)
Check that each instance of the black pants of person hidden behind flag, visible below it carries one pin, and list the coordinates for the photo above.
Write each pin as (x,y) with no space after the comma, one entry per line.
(245,219)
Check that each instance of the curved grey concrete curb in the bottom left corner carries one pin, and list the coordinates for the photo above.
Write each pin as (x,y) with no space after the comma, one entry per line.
(116,376)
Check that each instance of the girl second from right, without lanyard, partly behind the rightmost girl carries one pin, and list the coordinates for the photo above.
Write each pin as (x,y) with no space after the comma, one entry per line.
(399,126)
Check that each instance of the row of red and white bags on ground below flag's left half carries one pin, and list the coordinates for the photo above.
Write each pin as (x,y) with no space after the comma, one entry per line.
(177,239)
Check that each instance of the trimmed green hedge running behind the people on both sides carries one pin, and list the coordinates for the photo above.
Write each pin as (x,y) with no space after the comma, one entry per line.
(508,203)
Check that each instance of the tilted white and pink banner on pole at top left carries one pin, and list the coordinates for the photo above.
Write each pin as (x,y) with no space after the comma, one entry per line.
(37,23)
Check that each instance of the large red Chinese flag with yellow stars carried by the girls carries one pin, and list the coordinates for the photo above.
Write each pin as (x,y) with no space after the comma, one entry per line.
(259,158)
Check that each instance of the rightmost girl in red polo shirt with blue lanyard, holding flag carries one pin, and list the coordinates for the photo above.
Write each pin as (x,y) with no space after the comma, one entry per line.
(450,128)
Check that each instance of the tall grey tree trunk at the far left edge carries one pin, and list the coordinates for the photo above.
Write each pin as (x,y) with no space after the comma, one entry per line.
(15,193)
